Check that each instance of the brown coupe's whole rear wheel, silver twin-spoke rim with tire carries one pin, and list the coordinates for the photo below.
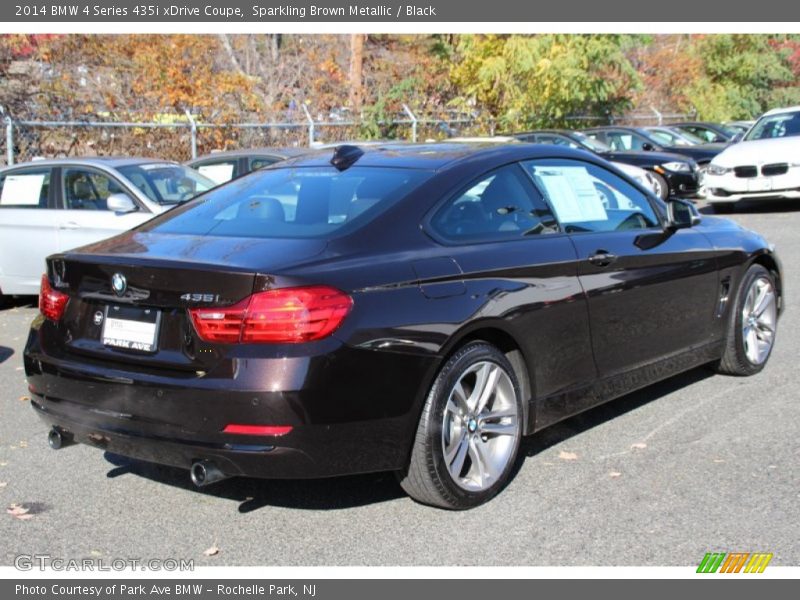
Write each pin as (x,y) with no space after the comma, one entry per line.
(469,432)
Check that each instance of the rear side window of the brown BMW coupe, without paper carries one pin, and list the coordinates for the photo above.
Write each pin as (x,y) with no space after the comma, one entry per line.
(501,205)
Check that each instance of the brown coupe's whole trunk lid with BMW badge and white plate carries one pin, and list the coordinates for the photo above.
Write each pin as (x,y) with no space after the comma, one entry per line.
(129,294)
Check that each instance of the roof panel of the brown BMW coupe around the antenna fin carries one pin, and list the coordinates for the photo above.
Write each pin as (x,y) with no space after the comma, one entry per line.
(435,156)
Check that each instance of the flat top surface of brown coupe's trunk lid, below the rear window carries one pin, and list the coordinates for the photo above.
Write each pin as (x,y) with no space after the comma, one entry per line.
(245,254)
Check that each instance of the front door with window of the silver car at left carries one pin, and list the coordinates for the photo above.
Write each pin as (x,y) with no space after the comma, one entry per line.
(84,216)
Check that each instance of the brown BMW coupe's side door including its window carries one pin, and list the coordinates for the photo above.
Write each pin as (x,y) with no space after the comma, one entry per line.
(651,293)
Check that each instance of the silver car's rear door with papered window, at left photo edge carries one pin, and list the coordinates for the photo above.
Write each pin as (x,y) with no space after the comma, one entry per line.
(27,228)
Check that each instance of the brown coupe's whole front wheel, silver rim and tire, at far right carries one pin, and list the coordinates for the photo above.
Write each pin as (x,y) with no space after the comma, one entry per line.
(753,324)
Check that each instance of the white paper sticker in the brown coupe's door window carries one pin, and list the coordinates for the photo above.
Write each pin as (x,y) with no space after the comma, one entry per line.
(572,193)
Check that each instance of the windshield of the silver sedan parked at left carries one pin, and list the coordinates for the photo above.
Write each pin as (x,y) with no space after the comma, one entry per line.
(167,183)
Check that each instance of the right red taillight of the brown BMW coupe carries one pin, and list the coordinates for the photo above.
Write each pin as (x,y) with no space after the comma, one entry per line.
(285,316)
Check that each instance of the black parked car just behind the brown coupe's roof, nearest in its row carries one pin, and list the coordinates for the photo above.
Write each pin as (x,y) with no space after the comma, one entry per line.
(671,174)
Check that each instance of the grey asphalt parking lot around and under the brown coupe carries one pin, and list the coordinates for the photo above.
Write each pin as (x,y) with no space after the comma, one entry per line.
(695,464)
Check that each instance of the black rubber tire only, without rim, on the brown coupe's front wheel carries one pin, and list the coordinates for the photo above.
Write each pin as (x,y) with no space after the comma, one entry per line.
(734,360)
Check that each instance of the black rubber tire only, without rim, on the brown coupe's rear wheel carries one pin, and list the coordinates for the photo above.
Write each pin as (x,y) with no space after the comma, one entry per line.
(427,478)
